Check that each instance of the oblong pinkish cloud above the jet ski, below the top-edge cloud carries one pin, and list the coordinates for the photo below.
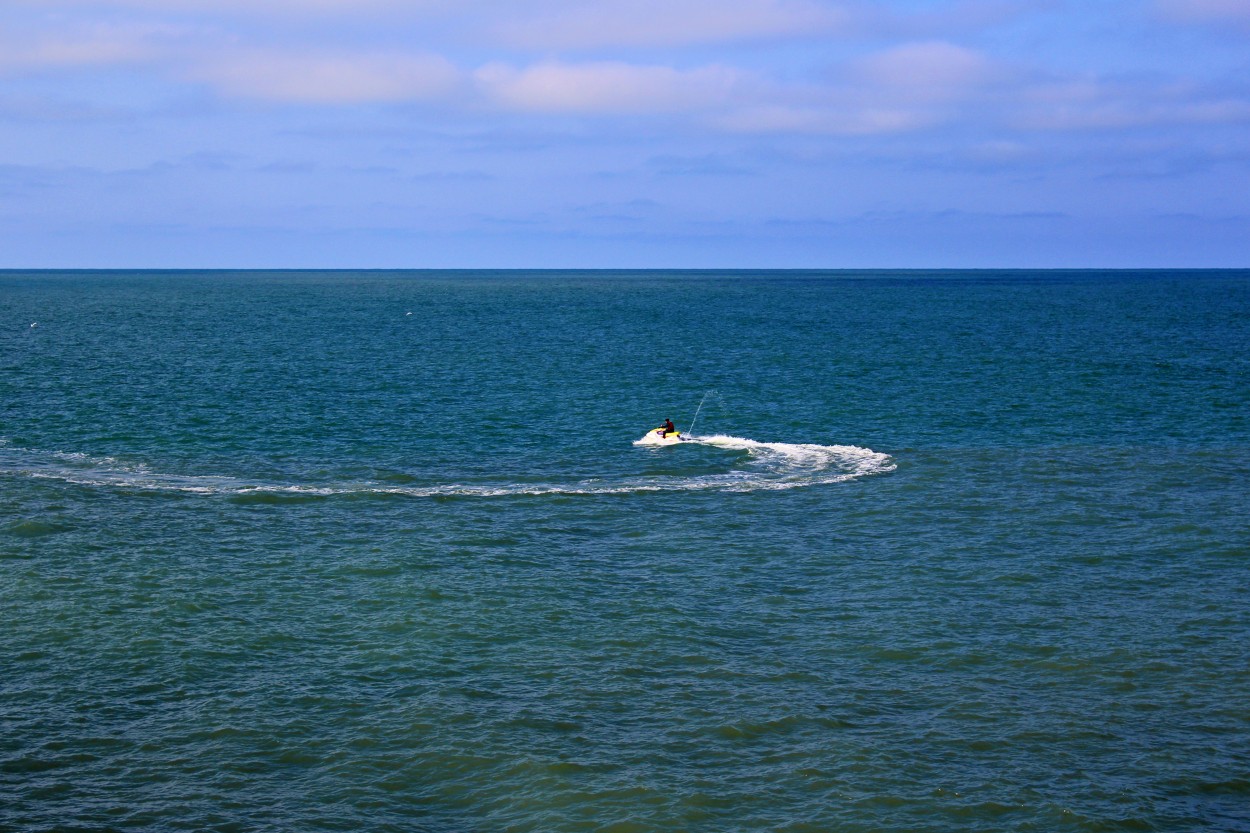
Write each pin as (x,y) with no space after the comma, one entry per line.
(607,88)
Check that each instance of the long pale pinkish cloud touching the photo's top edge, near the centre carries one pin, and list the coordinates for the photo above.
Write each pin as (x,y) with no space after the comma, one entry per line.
(666,23)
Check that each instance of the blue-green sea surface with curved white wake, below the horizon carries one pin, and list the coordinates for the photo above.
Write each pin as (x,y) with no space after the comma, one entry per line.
(377,552)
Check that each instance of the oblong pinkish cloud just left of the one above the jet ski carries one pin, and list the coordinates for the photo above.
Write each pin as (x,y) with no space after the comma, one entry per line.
(329,79)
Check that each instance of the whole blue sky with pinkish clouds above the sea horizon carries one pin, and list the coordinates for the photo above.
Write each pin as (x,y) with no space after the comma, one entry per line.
(624,134)
